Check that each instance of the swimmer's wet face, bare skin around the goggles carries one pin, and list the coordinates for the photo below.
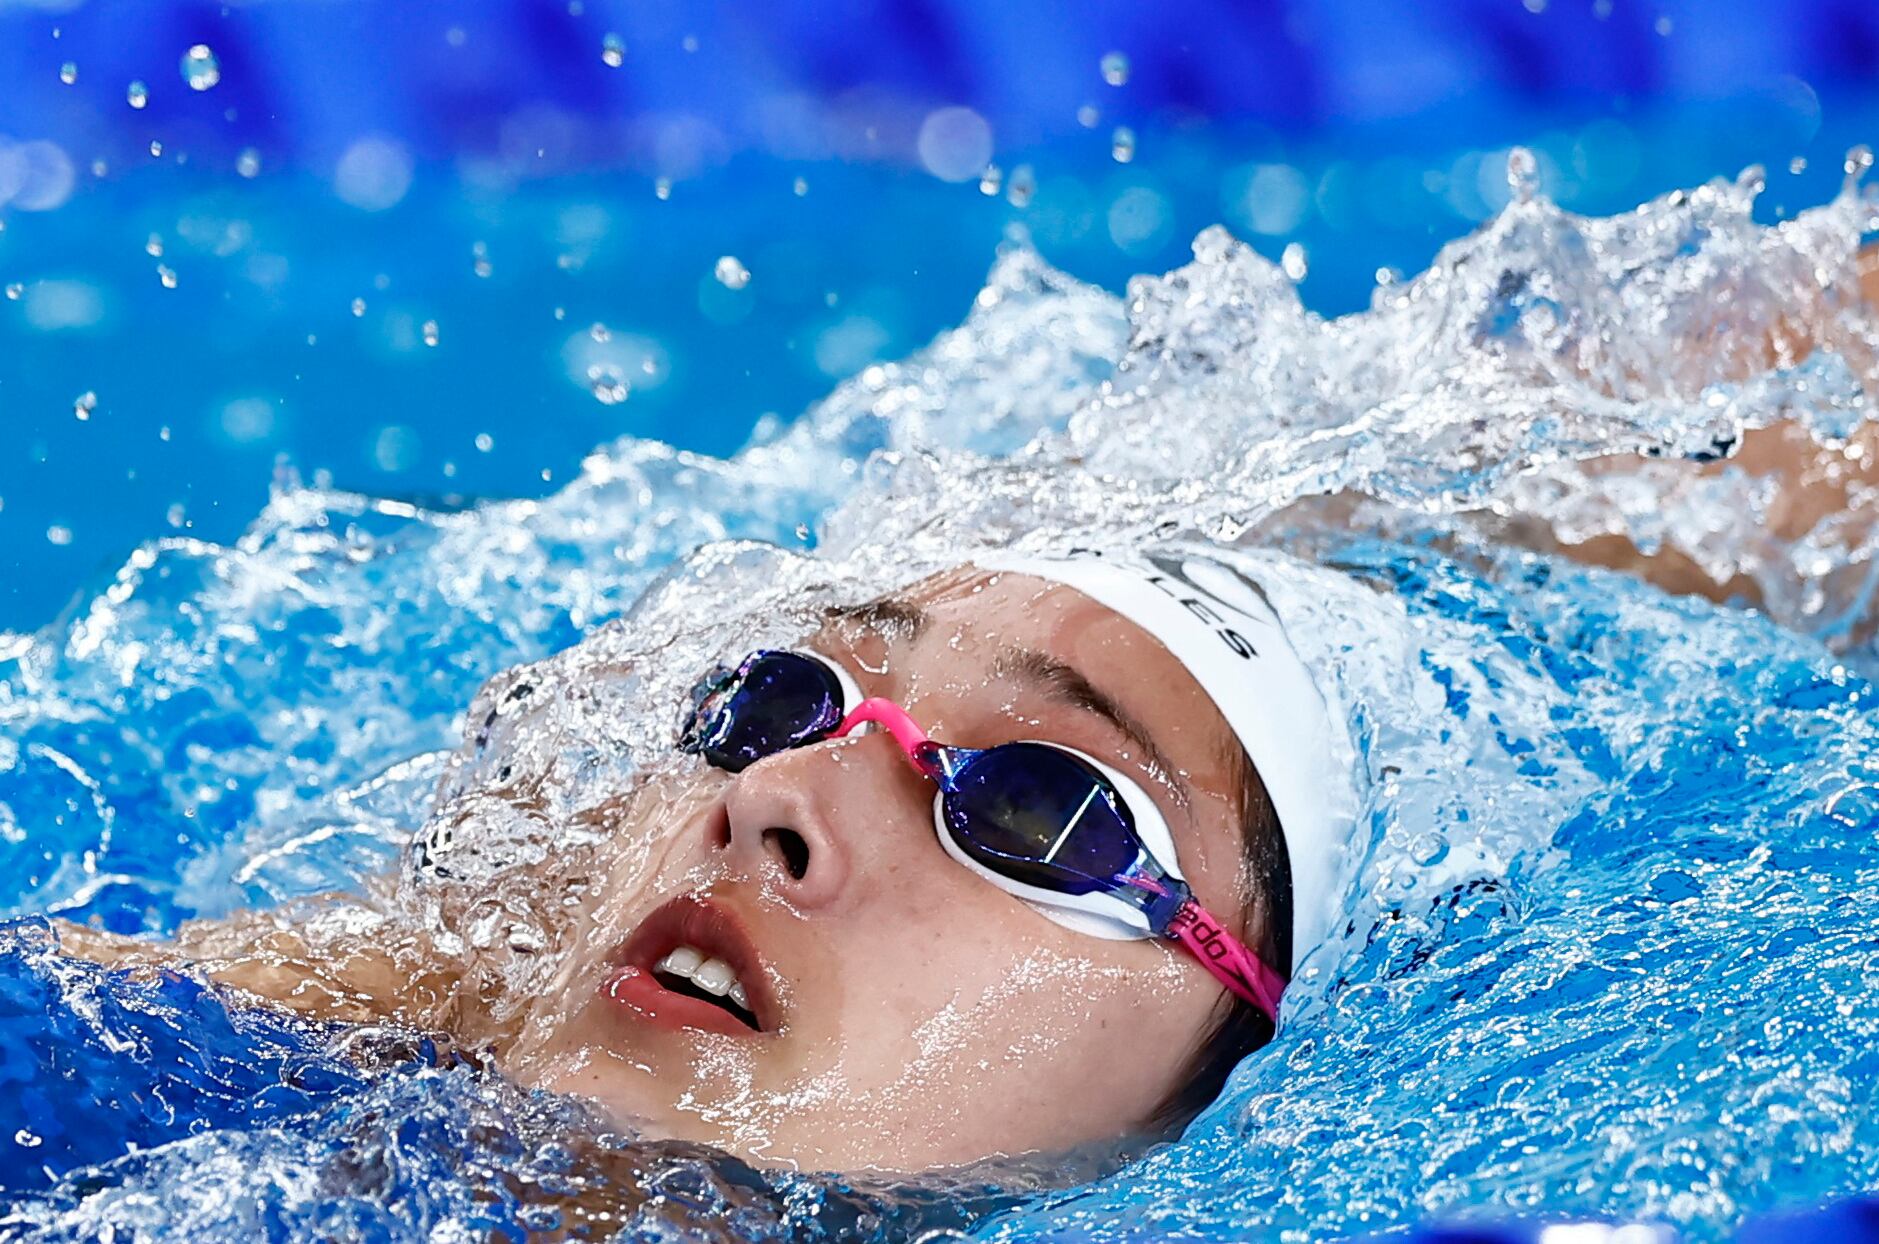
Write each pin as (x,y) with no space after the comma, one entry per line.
(912,1014)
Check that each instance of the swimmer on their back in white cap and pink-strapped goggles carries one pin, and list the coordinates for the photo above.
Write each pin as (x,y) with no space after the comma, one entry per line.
(1016,860)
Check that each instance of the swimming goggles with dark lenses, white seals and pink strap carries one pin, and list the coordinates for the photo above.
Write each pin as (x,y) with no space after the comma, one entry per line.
(1042,822)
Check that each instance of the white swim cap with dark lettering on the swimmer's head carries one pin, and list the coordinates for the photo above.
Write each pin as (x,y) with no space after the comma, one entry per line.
(1207,610)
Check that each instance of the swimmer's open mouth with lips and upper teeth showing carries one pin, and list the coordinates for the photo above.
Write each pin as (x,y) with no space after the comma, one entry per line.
(691,965)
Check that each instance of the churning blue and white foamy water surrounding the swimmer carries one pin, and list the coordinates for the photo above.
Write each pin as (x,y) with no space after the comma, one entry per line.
(1609,924)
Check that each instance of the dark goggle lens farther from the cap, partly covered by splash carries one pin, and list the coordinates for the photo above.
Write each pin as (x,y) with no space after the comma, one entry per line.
(771,704)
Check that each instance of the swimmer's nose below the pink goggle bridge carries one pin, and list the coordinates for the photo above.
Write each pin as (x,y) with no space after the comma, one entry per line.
(813,820)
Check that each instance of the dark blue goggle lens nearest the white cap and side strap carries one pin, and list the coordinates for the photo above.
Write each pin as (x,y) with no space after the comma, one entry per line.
(1042,818)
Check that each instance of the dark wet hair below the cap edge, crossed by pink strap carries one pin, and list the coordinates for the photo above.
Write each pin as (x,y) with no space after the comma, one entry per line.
(1239,1029)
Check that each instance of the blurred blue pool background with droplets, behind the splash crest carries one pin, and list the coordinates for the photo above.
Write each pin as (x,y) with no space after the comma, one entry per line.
(1363,132)
